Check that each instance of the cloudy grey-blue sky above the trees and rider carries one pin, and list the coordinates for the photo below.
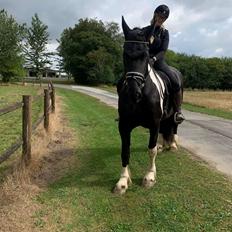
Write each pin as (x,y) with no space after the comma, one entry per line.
(196,27)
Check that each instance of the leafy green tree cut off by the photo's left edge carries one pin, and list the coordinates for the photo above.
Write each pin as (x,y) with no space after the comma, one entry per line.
(11,36)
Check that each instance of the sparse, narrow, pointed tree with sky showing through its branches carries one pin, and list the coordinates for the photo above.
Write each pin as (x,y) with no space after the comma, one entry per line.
(37,56)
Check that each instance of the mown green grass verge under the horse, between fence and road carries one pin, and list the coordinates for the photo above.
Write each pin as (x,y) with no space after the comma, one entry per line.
(187,197)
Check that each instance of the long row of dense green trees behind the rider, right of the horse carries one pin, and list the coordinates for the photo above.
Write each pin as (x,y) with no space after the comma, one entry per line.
(202,73)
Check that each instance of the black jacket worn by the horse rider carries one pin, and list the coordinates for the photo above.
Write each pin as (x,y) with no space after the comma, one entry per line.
(158,39)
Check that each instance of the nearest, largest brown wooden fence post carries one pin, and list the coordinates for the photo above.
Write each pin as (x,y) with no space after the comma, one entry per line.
(26,127)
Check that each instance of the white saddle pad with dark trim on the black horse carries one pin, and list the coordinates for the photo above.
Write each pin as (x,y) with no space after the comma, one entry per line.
(156,79)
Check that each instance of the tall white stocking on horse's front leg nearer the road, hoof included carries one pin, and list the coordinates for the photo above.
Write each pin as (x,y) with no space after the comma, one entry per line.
(149,178)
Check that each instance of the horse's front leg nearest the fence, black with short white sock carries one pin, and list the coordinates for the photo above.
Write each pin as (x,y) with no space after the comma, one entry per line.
(125,179)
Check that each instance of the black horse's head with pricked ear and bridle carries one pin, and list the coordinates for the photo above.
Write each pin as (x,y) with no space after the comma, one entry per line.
(135,59)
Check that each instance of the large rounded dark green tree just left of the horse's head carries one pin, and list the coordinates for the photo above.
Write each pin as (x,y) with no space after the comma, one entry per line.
(92,51)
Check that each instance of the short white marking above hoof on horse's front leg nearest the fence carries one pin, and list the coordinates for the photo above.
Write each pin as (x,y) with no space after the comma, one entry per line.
(124,181)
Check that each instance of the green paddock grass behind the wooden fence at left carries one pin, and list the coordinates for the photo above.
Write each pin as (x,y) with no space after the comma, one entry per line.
(11,123)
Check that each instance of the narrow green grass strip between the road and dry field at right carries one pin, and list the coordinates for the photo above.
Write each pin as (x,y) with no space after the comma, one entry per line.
(204,110)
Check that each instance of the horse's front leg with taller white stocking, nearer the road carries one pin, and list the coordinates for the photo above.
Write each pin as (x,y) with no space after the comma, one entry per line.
(150,177)
